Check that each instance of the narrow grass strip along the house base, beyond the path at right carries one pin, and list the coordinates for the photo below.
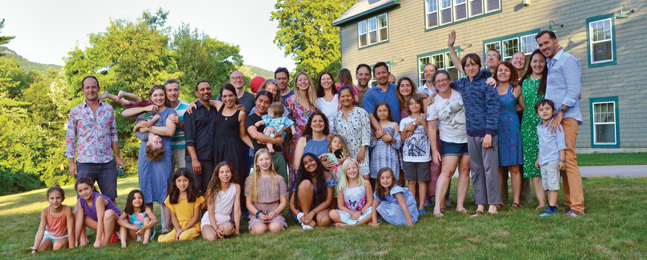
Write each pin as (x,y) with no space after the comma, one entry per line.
(598,159)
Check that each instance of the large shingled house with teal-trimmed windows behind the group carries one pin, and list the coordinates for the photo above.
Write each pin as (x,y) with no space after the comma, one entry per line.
(607,36)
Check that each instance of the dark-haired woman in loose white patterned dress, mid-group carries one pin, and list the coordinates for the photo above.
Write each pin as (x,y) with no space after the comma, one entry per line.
(352,123)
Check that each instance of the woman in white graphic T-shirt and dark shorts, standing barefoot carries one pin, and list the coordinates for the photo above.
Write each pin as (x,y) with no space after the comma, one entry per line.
(448,109)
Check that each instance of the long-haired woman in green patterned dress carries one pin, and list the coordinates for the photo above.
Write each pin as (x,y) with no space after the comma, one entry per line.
(533,85)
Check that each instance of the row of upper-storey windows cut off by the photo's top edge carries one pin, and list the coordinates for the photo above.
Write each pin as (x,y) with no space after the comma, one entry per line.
(443,12)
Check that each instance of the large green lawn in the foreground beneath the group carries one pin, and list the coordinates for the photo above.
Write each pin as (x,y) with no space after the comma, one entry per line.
(614,227)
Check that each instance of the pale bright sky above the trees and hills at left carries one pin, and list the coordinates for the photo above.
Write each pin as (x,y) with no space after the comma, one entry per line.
(47,30)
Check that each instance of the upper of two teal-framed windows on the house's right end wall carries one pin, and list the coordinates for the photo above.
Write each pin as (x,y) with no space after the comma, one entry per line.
(601,37)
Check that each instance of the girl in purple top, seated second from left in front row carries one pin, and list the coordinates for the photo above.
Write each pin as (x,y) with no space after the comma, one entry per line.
(96,211)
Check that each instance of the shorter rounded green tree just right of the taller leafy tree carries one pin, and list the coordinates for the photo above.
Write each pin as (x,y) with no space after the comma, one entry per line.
(201,57)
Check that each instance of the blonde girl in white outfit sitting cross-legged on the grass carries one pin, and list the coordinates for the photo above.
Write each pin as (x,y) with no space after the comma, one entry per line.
(355,206)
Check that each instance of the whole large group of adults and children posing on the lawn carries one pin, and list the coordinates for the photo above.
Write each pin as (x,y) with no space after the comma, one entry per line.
(340,152)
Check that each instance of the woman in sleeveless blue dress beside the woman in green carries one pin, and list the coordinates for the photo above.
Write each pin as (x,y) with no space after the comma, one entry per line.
(510,152)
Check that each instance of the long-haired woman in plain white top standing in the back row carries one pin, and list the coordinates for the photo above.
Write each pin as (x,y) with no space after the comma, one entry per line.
(327,98)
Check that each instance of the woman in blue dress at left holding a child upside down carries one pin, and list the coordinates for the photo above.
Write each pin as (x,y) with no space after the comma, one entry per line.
(154,175)
